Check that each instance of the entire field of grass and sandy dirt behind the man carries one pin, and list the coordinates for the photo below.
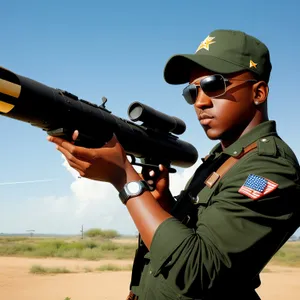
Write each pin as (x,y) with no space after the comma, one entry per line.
(99,268)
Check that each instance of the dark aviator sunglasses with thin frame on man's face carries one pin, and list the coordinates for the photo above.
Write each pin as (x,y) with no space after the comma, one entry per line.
(213,86)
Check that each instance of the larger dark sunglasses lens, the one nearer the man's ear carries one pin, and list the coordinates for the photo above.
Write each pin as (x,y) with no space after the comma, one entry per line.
(213,86)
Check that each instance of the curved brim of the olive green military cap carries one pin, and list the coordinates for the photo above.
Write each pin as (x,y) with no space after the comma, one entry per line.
(179,67)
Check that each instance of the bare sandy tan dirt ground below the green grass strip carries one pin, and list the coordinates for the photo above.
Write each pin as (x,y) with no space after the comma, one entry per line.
(16,283)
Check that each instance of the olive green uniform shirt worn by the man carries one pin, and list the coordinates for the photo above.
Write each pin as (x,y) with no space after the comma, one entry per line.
(234,236)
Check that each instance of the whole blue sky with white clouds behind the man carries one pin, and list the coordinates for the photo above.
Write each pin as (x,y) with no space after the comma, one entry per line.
(118,49)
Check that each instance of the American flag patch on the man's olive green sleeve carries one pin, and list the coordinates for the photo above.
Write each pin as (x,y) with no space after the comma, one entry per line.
(256,186)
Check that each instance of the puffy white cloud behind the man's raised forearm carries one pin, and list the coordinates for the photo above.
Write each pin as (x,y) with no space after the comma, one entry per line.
(96,204)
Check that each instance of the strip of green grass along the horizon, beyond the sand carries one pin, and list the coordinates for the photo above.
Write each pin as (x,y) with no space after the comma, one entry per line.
(99,248)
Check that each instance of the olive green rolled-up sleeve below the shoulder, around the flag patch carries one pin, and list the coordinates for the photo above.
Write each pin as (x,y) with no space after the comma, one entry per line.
(235,235)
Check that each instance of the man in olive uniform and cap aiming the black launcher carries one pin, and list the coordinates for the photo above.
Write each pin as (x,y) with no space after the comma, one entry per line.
(242,203)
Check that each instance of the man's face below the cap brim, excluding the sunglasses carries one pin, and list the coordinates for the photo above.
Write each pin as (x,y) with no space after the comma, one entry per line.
(227,116)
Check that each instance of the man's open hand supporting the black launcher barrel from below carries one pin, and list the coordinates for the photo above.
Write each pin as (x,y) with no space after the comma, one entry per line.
(107,163)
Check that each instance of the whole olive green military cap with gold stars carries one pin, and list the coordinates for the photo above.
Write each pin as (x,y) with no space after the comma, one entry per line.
(222,51)
